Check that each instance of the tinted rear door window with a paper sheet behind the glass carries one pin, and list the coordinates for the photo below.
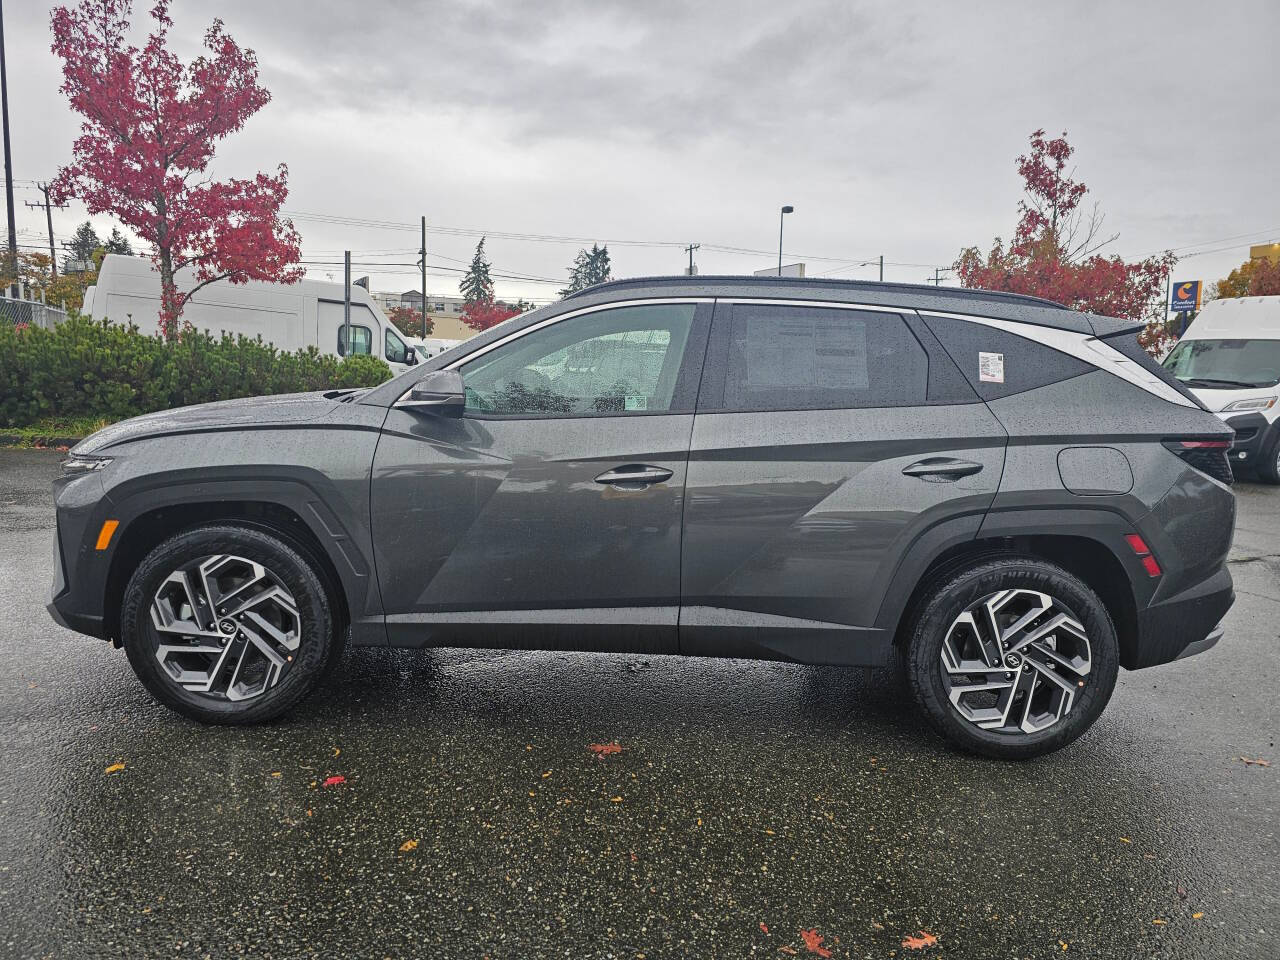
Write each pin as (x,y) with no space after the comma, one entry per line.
(784,358)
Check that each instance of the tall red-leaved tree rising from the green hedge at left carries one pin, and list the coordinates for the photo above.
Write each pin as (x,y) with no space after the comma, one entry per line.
(149,134)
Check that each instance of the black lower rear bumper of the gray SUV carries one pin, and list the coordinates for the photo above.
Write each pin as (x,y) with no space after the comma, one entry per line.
(1185,625)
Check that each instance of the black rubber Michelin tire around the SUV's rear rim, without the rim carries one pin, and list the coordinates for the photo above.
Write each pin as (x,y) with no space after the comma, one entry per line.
(944,601)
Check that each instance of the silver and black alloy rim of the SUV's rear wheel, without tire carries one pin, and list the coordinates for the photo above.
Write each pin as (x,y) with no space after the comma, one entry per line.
(1016,662)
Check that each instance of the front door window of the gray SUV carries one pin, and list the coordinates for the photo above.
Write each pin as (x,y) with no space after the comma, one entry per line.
(619,362)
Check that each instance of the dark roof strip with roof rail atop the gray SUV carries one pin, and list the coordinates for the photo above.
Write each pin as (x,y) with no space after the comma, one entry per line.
(913,296)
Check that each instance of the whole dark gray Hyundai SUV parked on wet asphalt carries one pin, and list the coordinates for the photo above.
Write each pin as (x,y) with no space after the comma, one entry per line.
(1000,495)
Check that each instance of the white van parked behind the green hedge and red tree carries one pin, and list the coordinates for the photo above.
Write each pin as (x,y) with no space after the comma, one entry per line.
(290,317)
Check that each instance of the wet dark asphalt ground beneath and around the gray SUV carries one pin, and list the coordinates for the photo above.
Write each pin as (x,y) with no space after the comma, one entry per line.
(749,803)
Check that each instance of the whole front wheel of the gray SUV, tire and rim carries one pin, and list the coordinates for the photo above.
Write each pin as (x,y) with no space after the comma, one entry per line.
(227,625)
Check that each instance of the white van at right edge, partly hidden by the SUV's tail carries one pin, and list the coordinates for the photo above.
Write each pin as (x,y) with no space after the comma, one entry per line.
(1231,360)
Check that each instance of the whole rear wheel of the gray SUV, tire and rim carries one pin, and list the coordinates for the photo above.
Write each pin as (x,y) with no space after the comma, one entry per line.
(1012,659)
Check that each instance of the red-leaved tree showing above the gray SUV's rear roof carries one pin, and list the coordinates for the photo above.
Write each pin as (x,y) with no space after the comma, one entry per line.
(1055,249)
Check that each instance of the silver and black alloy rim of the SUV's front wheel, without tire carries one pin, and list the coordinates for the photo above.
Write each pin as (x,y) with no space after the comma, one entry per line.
(227,628)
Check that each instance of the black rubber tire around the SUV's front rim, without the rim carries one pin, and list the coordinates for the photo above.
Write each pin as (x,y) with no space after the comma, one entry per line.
(310,661)
